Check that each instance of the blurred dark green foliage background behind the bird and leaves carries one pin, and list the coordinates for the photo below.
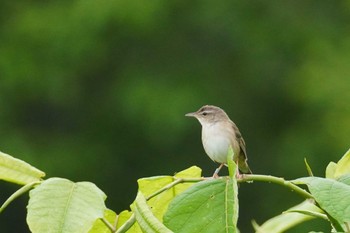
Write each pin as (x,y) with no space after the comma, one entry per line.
(97,91)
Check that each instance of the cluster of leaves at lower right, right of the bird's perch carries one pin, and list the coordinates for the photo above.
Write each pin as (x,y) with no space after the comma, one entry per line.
(329,200)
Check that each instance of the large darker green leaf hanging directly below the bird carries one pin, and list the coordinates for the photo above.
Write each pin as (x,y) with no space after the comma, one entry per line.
(207,206)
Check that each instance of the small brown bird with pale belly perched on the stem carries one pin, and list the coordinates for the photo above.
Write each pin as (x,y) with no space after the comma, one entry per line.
(219,132)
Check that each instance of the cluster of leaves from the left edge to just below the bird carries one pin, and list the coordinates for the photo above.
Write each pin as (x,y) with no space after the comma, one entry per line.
(60,205)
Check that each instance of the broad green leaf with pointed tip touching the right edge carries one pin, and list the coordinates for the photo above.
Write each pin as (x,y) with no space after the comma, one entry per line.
(331,195)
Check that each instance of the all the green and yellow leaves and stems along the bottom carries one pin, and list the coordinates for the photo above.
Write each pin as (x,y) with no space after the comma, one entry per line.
(185,202)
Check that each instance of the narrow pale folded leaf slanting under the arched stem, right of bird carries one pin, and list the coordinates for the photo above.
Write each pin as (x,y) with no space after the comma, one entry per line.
(288,219)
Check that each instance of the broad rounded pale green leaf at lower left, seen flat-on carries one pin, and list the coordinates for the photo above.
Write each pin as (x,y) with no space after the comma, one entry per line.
(60,205)
